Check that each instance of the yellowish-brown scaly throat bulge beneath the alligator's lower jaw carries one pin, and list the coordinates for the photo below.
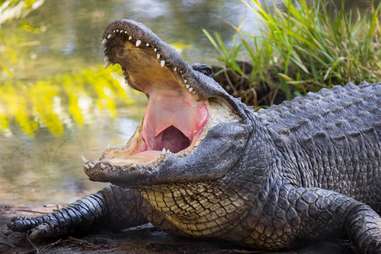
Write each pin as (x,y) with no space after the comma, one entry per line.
(197,210)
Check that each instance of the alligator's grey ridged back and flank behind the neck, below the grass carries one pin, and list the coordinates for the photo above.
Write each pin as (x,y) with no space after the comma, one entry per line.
(333,138)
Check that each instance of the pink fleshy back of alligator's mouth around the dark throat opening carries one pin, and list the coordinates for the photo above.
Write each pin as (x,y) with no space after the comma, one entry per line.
(174,108)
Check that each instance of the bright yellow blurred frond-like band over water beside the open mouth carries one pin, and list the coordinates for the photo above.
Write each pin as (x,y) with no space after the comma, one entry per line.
(60,99)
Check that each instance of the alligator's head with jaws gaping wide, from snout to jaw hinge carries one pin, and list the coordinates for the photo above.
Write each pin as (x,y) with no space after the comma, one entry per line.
(192,131)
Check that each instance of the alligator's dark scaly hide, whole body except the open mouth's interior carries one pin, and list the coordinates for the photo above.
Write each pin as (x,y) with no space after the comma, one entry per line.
(307,169)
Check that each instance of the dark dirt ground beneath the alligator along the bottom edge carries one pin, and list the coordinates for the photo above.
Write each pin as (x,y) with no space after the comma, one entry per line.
(142,240)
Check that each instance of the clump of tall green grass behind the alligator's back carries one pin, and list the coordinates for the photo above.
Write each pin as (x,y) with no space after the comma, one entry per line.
(306,47)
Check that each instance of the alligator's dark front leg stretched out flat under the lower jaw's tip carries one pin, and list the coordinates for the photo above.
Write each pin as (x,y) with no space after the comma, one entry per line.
(113,208)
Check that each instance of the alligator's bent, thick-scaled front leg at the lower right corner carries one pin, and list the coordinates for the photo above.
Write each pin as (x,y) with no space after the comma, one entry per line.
(297,214)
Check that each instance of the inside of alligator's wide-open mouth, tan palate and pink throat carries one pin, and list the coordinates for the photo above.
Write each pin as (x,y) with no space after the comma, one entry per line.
(175,116)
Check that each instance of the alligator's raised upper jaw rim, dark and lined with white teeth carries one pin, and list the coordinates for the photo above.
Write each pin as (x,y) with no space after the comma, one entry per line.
(125,30)
